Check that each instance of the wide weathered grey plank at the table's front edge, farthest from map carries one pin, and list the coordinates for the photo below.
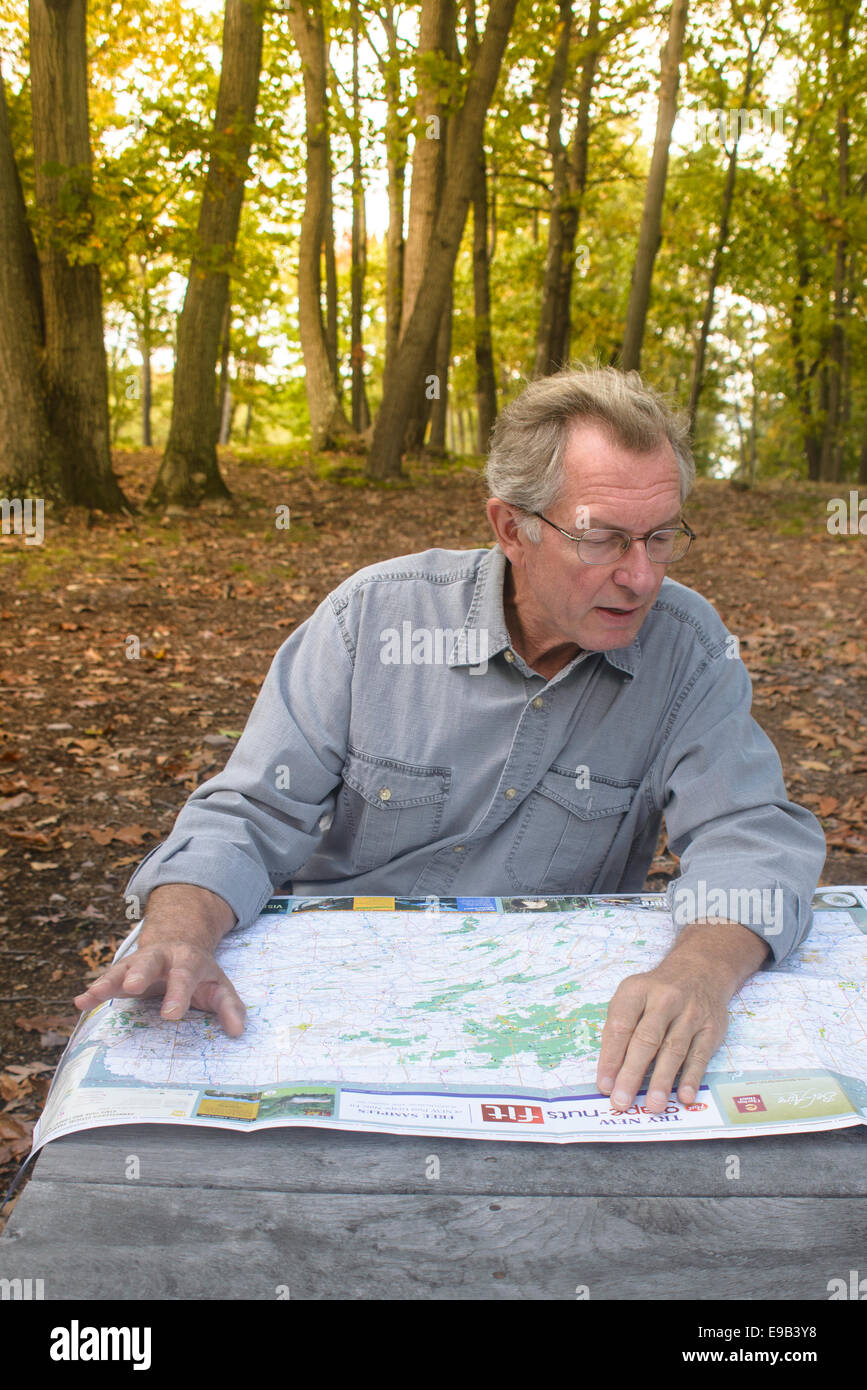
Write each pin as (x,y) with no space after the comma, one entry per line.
(119,1243)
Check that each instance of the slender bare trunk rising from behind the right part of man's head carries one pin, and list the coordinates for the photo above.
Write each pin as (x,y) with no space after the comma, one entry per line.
(650,236)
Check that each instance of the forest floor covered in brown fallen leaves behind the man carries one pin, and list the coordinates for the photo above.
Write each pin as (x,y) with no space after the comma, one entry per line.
(98,751)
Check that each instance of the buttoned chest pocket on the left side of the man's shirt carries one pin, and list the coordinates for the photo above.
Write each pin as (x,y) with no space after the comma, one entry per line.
(390,808)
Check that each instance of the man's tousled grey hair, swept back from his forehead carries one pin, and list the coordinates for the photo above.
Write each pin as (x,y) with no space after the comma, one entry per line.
(529,440)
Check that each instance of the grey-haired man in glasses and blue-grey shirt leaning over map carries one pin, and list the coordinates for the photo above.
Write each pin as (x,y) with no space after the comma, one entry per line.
(511,722)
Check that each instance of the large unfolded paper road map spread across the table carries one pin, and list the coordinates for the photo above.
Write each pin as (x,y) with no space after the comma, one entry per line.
(470,1018)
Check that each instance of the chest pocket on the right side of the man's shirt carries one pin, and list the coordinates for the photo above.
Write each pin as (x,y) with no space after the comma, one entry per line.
(565,833)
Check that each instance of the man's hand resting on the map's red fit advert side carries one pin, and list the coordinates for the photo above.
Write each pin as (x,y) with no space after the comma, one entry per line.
(677,1014)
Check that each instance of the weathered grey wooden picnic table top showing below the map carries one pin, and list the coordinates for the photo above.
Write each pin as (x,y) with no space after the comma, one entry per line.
(334,1214)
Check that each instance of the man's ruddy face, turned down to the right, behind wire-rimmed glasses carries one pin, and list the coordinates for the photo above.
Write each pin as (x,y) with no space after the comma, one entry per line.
(562,598)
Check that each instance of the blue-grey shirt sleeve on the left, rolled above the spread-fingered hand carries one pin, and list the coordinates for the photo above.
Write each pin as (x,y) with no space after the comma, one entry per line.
(249,829)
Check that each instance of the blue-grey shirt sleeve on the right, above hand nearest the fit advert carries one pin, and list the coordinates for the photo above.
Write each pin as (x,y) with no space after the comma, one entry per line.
(748,854)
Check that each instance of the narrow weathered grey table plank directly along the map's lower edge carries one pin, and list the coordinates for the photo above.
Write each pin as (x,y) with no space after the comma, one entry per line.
(833,1164)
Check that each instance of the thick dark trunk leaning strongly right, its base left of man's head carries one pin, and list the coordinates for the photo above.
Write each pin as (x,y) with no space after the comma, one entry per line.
(430,302)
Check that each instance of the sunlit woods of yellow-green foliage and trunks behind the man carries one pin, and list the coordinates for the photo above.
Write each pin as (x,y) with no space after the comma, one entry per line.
(395,215)
